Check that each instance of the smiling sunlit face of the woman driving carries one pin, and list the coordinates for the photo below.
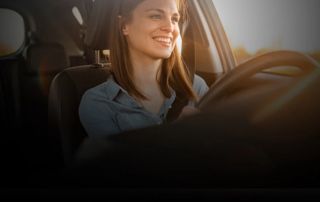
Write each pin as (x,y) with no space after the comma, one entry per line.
(153,29)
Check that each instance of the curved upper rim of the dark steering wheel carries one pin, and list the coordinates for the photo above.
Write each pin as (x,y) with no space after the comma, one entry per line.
(256,65)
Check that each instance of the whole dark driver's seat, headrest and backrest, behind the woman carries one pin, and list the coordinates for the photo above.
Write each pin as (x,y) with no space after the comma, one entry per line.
(69,85)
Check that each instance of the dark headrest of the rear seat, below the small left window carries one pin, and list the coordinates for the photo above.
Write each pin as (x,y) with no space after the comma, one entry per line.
(46,57)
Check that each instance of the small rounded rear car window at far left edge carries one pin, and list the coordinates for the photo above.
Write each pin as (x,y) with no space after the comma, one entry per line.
(12,33)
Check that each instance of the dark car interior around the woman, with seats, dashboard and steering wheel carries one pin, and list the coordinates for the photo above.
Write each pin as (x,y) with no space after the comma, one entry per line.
(256,129)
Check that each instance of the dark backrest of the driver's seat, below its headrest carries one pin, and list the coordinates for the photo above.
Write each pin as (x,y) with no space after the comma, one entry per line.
(65,94)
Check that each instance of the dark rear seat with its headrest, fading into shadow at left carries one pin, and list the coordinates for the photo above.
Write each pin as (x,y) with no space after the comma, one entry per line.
(43,61)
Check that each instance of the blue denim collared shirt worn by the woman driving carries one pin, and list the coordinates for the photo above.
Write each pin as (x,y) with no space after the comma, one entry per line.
(108,109)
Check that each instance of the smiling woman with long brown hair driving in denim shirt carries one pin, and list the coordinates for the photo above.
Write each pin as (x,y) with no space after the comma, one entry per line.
(147,70)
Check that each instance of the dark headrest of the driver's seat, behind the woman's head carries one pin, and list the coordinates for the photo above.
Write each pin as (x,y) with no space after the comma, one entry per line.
(99,23)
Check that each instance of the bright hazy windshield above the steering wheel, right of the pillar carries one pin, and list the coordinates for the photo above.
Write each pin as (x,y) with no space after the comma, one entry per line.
(258,26)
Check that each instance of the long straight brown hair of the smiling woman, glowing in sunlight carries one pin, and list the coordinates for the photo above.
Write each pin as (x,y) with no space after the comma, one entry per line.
(173,72)
